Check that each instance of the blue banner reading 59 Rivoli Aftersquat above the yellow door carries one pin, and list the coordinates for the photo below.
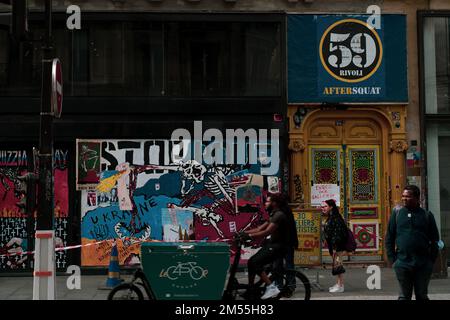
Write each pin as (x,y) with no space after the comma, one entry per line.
(341,58)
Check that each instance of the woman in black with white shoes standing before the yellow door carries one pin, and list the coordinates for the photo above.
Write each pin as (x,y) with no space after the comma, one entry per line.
(336,234)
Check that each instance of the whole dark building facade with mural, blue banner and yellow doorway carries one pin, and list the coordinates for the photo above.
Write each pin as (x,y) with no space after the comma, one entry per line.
(138,70)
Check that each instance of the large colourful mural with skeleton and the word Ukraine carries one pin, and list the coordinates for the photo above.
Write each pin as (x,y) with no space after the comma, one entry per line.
(147,192)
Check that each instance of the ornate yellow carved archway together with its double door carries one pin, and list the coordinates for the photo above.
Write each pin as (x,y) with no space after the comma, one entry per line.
(363,152)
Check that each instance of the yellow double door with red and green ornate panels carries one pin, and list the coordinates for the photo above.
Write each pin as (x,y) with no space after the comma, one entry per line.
(356,170)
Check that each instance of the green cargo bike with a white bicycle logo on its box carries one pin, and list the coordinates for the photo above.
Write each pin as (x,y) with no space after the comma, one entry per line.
(198,271)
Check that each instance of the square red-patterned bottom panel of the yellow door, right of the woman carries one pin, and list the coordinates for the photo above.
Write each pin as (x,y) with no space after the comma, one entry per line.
(366,235)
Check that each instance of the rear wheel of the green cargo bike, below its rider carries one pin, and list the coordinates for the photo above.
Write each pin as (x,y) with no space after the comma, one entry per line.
(294,285)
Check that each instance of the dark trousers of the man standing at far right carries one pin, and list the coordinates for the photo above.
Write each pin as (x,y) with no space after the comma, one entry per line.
(416,278)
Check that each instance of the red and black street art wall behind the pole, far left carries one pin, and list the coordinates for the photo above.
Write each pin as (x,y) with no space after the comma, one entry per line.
(16,225)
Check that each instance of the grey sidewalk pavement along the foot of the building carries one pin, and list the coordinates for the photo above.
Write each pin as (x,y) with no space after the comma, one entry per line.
(21,288)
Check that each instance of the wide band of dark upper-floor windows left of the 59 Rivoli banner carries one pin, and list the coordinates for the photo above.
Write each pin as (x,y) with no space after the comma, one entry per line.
(142,58)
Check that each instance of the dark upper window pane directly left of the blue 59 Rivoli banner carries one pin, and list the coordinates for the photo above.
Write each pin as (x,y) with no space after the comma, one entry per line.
(223,59)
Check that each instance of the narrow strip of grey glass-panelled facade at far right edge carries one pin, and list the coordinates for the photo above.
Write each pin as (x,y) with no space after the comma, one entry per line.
(434,81)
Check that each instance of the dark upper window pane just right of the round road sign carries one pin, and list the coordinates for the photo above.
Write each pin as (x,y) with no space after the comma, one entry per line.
(118,59)
